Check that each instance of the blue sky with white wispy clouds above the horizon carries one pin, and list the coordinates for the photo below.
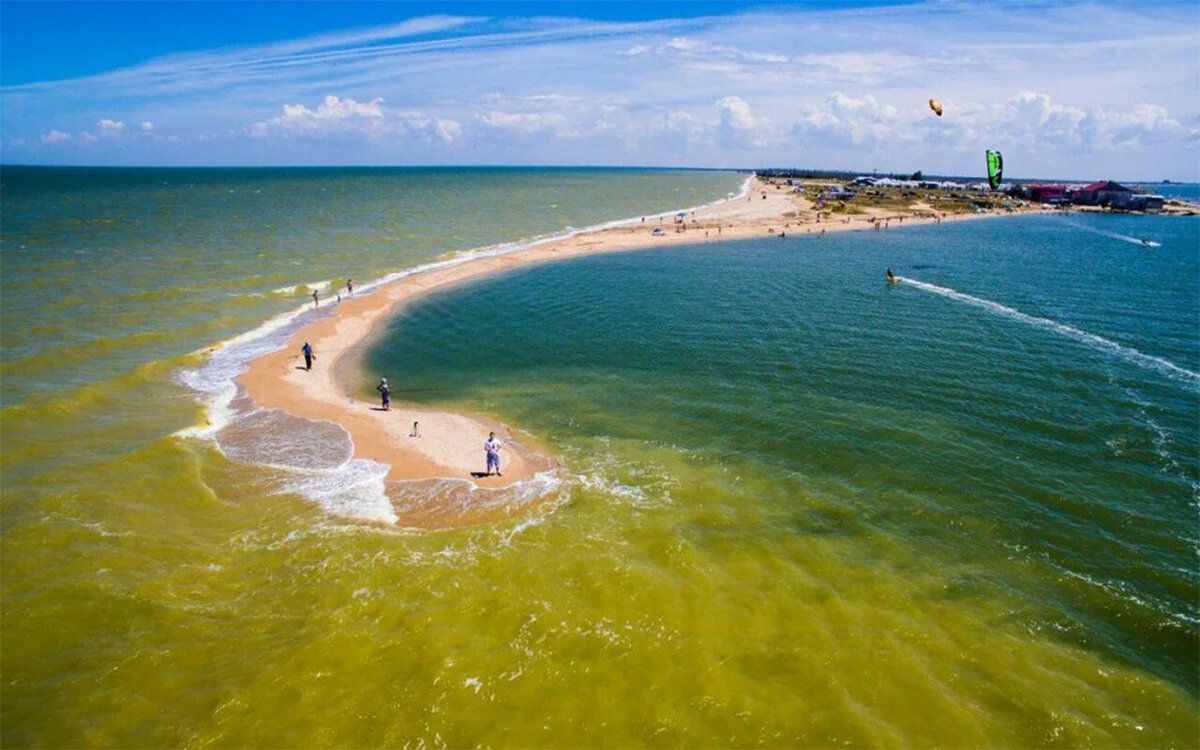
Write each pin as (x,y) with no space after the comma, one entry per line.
(1064,89)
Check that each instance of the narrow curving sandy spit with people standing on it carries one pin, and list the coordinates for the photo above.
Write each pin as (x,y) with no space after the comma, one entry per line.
(451,445)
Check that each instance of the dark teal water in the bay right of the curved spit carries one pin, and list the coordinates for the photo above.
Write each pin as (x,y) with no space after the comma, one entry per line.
(1035,442)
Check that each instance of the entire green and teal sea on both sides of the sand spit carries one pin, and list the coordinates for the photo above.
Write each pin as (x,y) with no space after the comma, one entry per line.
(797,506)
